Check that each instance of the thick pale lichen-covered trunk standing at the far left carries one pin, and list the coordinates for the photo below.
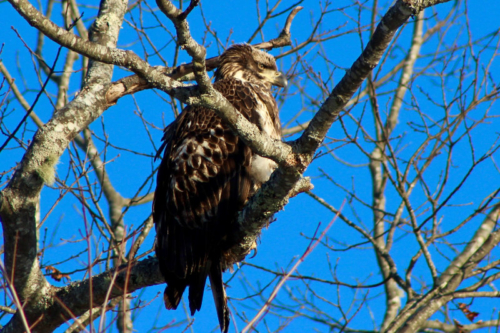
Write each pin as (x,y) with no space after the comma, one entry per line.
(18,210)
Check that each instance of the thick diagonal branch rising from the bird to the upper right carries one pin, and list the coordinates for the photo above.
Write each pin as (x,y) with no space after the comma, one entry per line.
(275,193)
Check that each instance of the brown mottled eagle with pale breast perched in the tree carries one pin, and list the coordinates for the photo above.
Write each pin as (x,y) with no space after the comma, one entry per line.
(206,176)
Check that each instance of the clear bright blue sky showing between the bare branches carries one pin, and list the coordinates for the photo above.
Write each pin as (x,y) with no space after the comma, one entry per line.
(287,238)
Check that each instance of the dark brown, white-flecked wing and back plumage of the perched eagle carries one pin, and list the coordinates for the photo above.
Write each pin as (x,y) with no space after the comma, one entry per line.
(204,165)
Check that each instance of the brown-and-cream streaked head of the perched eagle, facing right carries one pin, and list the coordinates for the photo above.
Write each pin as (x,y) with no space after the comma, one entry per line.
(247,63)
